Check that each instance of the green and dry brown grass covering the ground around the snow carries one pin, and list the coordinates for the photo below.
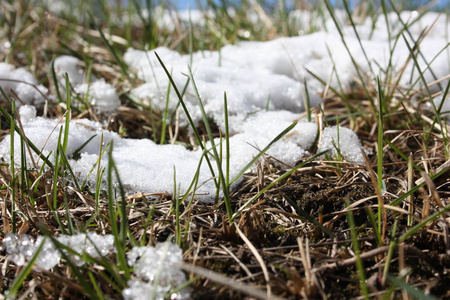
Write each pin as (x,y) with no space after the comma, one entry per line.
(320,229)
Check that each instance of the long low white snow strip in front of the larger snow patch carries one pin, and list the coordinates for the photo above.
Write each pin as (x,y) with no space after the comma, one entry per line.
(147,167)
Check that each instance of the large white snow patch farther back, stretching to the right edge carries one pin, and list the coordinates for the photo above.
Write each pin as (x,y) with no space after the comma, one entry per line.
(255,74)
